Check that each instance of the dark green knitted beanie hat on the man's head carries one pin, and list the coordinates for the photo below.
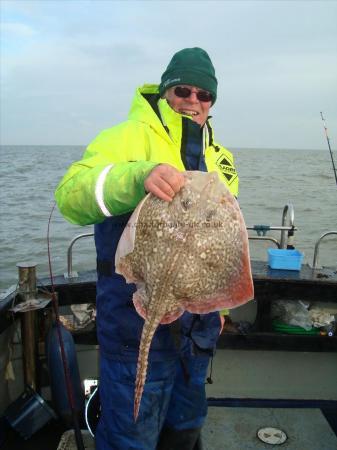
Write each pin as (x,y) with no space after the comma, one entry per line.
(190,66)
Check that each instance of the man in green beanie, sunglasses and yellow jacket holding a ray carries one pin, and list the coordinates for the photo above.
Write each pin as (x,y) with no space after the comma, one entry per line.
(167,132)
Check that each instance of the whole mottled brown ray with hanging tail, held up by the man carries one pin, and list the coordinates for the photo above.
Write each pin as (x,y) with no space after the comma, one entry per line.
(191,254)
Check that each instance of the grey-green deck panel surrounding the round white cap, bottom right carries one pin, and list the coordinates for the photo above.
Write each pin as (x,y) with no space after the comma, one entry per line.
(236,429)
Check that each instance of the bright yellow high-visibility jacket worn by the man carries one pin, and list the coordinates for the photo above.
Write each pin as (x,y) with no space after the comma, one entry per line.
(109,180)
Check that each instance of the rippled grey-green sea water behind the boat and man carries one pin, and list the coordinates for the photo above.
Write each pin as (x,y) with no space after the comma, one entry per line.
(269,180)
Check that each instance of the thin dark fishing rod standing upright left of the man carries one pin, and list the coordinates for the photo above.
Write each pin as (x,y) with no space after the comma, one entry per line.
(70,392)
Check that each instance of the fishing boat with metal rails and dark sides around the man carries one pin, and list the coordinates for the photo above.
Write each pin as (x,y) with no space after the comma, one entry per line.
(270,382)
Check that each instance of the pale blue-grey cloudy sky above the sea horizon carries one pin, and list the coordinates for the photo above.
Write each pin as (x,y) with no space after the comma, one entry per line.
(70,68)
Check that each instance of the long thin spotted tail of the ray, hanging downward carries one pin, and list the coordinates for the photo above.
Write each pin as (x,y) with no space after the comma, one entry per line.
(149,329)
